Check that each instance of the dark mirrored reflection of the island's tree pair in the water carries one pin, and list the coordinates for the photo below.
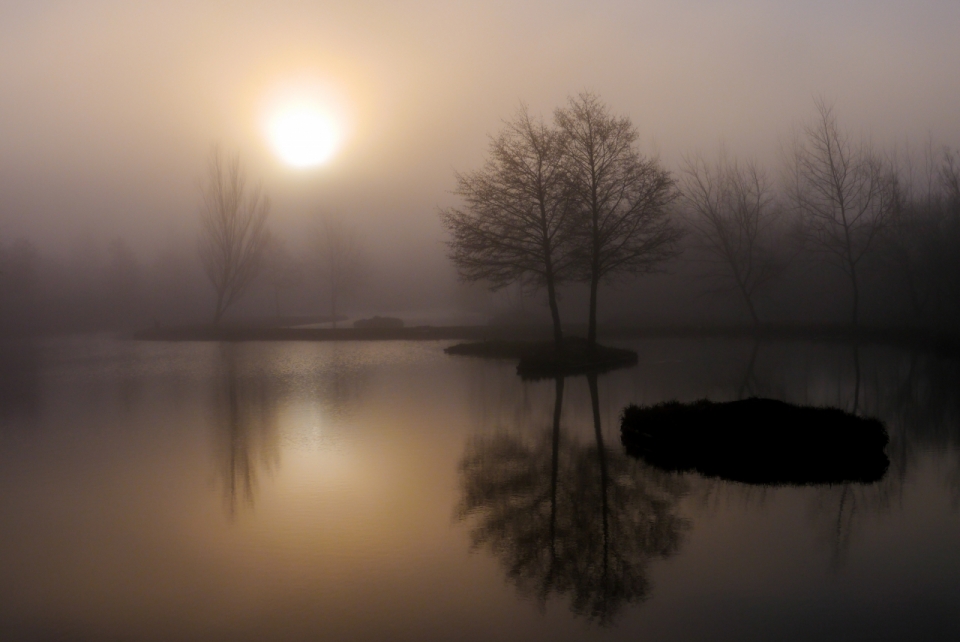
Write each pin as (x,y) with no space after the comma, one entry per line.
(568,518)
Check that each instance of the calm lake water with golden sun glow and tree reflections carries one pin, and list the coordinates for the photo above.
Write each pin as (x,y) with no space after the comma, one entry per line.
(386,491)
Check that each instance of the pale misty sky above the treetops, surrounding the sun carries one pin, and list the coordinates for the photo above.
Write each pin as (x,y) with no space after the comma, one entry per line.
(108,109)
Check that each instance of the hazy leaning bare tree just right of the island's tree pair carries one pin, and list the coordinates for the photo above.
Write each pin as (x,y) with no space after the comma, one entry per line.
(732,211)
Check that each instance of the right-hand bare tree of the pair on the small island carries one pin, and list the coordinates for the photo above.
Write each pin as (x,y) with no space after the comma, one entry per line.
(620,197)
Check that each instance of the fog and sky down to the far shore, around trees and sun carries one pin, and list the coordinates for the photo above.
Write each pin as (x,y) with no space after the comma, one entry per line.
(108,112)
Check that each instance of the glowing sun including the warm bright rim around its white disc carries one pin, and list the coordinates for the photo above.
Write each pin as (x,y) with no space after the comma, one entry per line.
(303,124)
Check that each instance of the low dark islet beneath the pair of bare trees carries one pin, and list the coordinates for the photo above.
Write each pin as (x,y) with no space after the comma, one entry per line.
(541,359)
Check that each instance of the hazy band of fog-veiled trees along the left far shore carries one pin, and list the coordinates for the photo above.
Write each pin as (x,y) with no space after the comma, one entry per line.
(110,286)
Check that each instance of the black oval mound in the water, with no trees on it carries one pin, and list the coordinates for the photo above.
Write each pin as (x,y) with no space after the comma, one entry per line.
(757,441)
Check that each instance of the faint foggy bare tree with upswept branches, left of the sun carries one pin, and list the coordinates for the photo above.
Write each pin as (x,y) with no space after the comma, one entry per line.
(233,232)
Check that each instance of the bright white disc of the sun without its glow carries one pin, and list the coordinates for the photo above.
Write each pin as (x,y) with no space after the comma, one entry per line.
(303,136)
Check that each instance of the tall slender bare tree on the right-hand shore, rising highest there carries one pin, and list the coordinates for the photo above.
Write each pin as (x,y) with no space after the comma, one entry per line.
(844,192)
